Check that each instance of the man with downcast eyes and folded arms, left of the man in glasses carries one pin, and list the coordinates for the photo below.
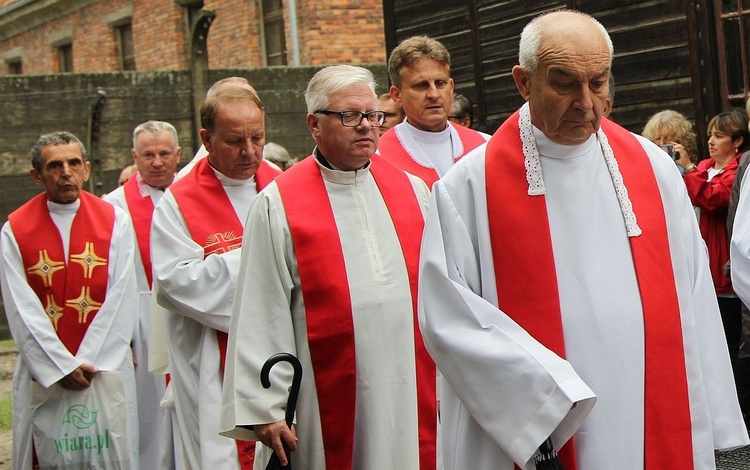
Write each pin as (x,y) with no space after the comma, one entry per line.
(195,240)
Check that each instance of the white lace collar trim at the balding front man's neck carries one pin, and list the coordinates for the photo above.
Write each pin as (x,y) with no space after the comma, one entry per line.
(535,178)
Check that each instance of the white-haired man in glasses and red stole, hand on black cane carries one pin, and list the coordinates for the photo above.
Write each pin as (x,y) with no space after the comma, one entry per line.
(328,273)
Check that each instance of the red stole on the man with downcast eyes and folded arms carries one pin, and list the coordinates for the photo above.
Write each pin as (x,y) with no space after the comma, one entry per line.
(213,223)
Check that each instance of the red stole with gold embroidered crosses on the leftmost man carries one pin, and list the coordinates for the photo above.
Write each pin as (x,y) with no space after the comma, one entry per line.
(71,295)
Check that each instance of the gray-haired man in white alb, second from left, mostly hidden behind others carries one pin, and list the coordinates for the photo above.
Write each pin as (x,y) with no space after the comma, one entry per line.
(156,153)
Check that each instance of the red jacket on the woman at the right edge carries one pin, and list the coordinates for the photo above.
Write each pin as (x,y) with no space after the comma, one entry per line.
(712,198)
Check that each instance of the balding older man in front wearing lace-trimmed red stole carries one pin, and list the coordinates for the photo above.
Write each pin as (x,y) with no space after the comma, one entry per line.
(564,284)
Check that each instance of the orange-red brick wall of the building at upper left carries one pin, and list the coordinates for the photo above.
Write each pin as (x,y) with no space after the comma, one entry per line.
(329,31)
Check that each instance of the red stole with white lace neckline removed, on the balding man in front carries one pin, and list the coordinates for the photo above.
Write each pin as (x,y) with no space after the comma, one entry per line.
(524,262)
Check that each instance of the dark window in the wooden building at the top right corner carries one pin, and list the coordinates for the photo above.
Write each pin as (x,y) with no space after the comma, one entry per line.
(733,31)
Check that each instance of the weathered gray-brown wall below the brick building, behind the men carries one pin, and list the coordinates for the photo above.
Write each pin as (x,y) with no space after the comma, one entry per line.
(34,105)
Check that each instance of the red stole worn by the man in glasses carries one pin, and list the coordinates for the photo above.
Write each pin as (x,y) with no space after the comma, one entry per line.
(325,289)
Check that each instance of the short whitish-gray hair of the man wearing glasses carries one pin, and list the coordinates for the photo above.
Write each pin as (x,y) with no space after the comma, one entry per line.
(330,80)
